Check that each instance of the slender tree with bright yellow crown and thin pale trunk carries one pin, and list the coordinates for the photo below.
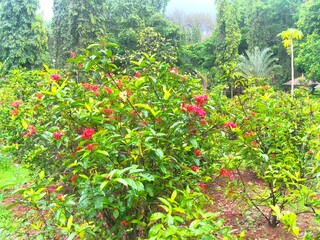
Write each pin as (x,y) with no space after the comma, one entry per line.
(287,39)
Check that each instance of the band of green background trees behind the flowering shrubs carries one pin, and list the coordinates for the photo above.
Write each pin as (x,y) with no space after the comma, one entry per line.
(243,29)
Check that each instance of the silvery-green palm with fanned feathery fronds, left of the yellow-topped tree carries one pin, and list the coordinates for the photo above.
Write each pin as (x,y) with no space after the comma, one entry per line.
(258,64)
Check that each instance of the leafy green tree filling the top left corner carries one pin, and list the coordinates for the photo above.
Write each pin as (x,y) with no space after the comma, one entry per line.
(23,40)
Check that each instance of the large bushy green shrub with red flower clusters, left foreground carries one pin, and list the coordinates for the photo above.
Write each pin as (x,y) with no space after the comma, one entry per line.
(114,143)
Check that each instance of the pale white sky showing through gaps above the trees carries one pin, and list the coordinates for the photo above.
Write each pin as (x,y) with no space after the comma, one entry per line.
(188,6)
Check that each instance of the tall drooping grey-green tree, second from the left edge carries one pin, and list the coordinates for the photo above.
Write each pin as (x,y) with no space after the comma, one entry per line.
(75,25)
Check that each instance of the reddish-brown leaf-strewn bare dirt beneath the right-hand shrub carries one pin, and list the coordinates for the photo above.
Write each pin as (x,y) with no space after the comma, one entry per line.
(241,217)
